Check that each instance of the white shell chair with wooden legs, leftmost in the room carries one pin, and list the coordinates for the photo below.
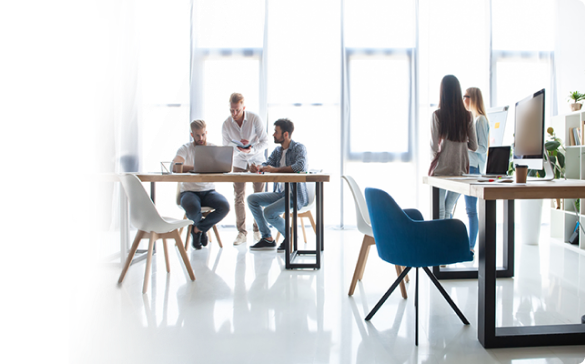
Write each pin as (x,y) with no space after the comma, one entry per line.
(145,217)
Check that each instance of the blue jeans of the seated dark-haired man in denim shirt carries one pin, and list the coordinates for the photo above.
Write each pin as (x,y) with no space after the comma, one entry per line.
(273,203)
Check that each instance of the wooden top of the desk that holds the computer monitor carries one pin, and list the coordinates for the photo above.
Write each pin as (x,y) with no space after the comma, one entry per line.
(558,188)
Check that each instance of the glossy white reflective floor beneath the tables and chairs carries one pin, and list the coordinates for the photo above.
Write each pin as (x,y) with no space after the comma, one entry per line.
(244,307)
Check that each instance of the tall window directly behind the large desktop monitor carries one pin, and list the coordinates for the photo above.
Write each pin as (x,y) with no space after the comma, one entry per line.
(522,54)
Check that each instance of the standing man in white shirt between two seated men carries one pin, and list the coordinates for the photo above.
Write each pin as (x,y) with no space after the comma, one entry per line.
(248,129)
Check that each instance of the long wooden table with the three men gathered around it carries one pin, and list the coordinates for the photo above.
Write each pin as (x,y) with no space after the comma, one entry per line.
(286,178)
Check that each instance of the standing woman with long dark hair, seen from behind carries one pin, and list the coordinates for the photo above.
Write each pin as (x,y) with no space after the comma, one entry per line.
(452,135)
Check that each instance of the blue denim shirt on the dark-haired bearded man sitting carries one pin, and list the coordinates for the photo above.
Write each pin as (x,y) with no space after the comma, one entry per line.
(296,158)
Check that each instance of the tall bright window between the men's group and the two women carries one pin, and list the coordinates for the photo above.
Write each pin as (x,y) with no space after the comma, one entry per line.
(379,50)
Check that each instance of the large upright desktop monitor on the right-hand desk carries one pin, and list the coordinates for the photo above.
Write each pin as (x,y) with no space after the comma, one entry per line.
(529,131)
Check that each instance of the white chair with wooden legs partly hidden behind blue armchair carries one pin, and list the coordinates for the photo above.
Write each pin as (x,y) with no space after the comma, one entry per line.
(365,227)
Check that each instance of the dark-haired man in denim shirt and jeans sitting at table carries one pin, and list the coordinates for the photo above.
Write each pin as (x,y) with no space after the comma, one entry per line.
(289,157)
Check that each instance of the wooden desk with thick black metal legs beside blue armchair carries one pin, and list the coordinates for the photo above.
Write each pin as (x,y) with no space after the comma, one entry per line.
(489,335)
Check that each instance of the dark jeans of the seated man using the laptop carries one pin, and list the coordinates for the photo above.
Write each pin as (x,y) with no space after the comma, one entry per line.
(192,201)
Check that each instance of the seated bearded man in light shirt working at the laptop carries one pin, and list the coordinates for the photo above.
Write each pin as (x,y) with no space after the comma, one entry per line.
(197,194)
